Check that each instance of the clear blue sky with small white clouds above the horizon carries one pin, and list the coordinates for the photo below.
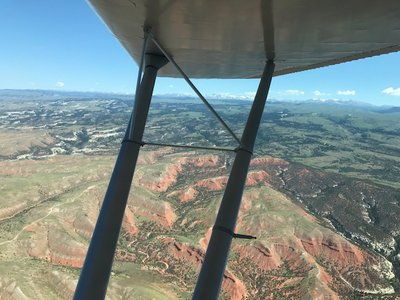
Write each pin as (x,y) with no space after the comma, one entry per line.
(63,45)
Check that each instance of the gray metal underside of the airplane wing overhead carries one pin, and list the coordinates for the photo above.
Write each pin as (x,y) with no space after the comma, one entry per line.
(233,38)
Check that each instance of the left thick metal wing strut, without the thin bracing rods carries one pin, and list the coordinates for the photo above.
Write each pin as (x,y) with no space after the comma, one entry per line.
(96,270)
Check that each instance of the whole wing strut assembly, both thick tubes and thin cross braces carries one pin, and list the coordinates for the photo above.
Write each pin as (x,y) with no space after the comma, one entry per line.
(96,270)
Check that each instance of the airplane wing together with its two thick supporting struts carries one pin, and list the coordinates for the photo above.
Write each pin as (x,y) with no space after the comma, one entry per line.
(224,39)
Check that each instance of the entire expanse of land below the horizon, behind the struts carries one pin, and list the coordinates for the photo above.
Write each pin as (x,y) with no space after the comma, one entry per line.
(322,198)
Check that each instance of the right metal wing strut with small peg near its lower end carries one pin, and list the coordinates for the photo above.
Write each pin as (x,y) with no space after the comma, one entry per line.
(210,278)
